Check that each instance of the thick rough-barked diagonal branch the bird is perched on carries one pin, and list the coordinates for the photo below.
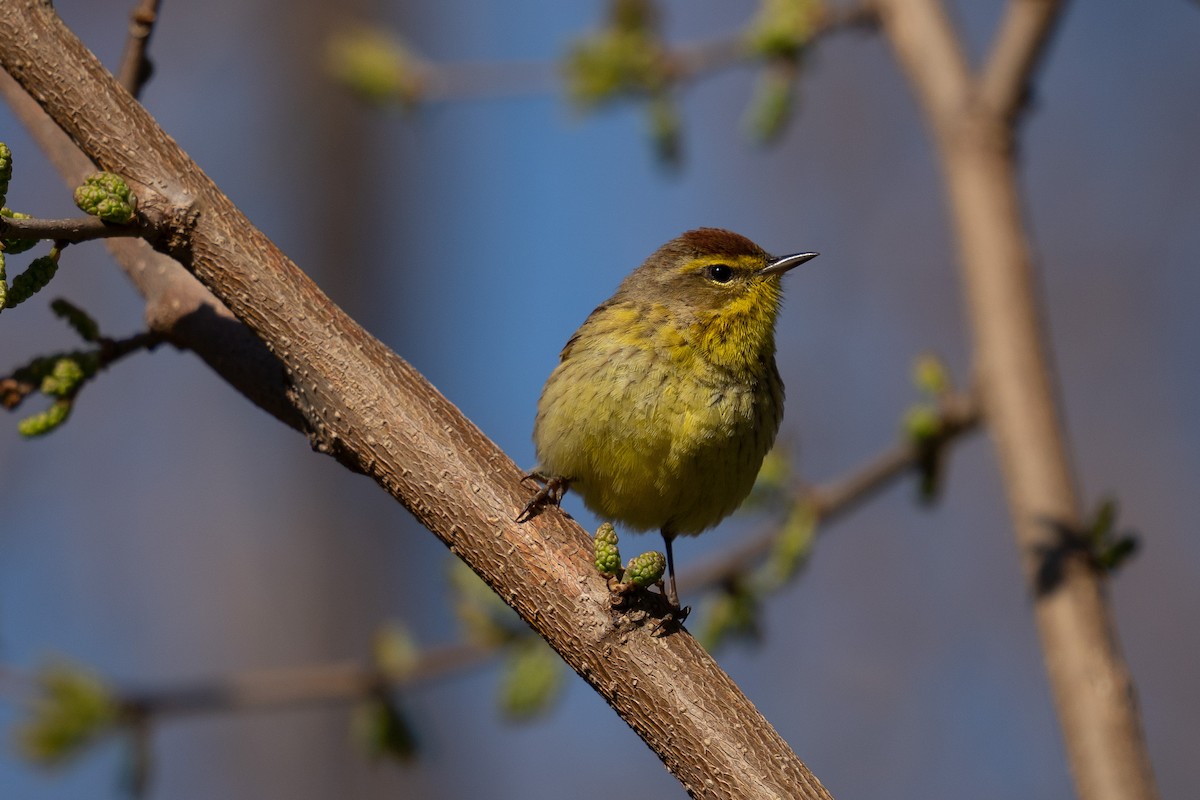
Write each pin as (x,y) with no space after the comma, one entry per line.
(365,406)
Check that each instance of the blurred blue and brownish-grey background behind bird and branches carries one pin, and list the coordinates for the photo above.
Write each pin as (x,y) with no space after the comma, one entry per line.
(173,533)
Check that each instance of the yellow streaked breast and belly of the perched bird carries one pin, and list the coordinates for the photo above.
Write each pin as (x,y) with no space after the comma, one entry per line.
(661,426)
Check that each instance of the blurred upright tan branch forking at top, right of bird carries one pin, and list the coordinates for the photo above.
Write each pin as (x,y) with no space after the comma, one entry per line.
(974,123)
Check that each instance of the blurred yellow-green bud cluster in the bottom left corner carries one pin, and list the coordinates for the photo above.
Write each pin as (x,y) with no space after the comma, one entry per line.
(73,711)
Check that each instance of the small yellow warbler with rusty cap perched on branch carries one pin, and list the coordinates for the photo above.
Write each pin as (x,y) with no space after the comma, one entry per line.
(667,400)
